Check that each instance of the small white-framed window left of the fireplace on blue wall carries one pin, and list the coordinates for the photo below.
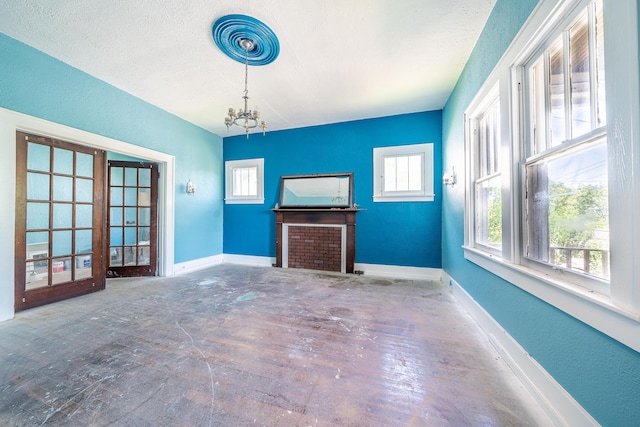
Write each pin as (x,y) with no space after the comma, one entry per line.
(244,181)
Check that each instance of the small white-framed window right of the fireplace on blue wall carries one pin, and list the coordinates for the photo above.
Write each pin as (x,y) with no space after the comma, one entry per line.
(403,173)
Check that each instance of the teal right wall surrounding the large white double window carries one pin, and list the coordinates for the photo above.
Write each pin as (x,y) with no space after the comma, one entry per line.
(599,372)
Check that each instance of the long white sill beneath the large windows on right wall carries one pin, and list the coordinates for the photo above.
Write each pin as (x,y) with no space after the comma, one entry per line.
(592,308)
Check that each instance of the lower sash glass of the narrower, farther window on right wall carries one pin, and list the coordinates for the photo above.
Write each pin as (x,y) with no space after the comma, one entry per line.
(488,224)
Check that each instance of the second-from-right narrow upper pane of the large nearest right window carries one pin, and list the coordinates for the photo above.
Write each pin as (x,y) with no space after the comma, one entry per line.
(580,79)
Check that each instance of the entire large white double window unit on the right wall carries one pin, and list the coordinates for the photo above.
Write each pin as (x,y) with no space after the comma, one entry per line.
(556,127)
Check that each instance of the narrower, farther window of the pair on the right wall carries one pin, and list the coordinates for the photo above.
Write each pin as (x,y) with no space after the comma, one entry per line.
(484,149)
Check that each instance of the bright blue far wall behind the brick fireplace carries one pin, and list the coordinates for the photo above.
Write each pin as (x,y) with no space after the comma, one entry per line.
(404,234)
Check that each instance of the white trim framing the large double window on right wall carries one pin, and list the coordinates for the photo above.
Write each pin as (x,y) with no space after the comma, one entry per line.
(617,315)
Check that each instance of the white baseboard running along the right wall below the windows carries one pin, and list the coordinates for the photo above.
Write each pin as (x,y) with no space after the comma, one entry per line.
(560,407)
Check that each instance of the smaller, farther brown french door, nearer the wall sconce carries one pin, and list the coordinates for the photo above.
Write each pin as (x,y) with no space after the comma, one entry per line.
(132,220)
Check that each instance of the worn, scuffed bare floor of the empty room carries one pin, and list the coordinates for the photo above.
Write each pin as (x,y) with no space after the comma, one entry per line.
(244,346)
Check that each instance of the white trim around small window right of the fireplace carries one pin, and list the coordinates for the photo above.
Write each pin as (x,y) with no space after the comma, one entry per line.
(426,195)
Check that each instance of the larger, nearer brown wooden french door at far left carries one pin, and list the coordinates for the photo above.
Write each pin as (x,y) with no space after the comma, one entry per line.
(60,228)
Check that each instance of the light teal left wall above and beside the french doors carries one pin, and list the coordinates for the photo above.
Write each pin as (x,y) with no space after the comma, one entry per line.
(38,85)
